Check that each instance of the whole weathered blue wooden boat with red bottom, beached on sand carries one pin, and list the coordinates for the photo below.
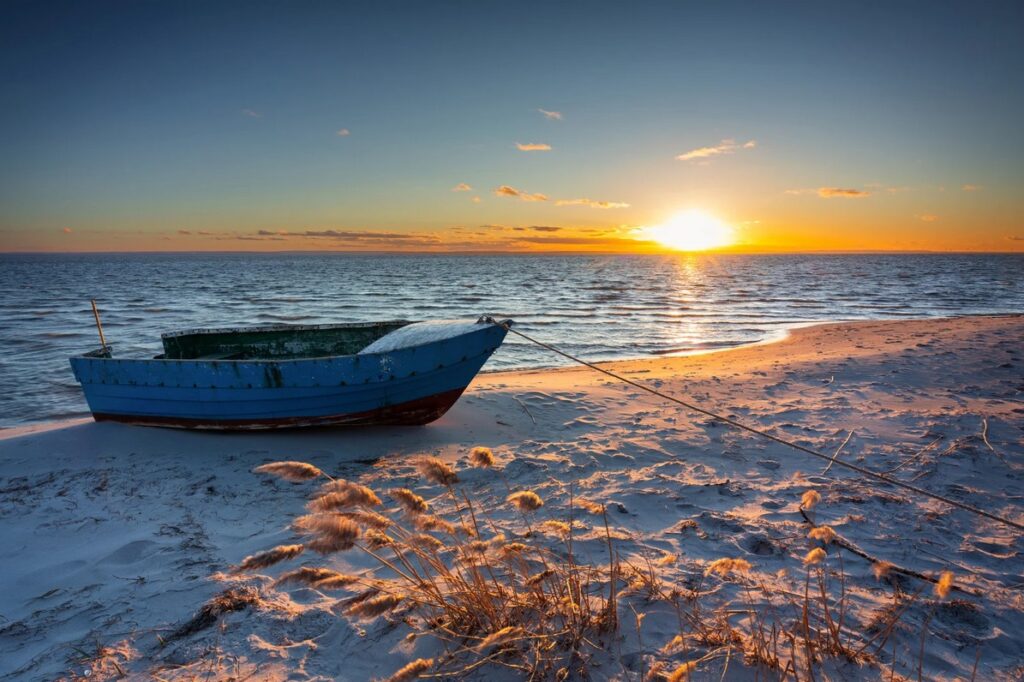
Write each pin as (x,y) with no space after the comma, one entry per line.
(288,376)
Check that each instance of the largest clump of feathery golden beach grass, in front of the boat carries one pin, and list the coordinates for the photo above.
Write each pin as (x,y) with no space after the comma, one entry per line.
(513,603)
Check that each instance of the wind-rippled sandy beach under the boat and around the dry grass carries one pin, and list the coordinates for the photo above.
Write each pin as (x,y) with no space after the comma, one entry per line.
(112,533)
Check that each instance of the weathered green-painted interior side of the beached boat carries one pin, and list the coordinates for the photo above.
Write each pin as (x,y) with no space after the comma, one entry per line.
(278,343)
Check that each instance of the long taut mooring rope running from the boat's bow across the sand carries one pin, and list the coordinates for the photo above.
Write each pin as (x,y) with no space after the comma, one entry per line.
(740,425)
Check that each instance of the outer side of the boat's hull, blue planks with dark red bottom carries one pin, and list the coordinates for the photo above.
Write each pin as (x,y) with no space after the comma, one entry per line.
(408,387)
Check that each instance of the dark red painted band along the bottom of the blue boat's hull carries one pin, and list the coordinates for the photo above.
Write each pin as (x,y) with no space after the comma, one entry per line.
(414,413)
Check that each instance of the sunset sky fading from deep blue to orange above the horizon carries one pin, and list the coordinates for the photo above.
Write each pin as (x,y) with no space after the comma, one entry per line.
(488,126)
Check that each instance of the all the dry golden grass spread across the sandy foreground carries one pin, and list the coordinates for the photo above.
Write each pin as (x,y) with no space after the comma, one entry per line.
(530,605)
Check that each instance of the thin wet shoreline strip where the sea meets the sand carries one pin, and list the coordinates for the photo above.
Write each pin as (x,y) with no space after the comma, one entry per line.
(786,334)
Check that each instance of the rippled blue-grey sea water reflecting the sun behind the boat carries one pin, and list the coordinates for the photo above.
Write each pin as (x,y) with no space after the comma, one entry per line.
(600,308)
